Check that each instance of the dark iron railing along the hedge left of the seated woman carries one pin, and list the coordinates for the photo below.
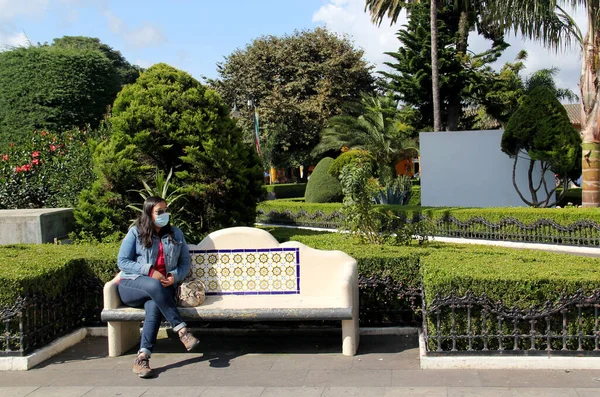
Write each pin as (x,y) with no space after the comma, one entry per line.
(34,320)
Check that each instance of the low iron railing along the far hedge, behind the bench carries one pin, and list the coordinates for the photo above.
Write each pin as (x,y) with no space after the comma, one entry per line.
(582,233)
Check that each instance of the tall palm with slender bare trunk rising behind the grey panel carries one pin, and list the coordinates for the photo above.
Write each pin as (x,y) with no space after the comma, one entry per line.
(378,10)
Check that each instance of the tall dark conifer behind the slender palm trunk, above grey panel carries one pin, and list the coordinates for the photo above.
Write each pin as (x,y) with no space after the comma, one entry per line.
(464,75)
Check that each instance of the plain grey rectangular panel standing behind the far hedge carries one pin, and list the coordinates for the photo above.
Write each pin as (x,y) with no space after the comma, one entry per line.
(468,169)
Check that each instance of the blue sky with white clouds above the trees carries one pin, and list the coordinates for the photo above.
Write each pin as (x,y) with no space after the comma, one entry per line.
(194,35)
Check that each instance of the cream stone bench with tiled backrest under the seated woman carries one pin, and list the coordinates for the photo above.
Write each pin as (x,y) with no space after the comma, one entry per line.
(249,276)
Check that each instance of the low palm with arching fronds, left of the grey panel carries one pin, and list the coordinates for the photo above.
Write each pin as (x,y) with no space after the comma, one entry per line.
(373,125)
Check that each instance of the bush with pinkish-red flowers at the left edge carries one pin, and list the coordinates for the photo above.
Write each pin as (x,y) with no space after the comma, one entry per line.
(49,170)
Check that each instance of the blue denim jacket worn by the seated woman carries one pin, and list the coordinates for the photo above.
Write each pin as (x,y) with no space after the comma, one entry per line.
(135,260)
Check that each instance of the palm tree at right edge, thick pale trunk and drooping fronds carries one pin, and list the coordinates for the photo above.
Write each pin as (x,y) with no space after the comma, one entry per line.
(548,22)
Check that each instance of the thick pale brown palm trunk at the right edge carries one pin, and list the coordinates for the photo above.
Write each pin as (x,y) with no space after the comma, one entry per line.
(590,112)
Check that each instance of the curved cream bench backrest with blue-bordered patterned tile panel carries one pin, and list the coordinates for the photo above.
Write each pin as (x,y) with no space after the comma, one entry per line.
(249,261)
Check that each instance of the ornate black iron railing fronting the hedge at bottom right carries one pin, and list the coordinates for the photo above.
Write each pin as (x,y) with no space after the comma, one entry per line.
(474,325)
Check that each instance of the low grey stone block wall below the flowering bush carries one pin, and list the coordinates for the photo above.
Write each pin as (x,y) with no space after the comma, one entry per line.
(35,226)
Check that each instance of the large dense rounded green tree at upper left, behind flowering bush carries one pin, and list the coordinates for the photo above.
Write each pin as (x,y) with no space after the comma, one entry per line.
(55,87)
